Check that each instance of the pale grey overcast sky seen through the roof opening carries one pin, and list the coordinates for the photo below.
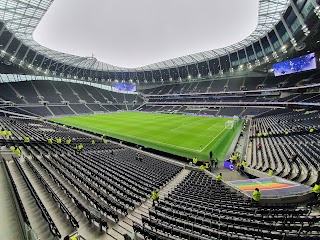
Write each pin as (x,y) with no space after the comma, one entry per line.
(135,33)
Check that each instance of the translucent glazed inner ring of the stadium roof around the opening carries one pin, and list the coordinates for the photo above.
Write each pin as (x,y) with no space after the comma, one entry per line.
(22,17)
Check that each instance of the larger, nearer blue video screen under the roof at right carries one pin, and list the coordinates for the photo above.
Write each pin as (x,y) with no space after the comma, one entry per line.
(303,63)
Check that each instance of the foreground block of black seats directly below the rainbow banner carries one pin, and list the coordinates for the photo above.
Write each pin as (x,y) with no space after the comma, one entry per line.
(201,208)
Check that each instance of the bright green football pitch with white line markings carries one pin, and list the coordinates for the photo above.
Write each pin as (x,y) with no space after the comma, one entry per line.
(186,136)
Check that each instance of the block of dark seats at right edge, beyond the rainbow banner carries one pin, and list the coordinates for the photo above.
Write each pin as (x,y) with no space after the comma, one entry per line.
(289,147)
